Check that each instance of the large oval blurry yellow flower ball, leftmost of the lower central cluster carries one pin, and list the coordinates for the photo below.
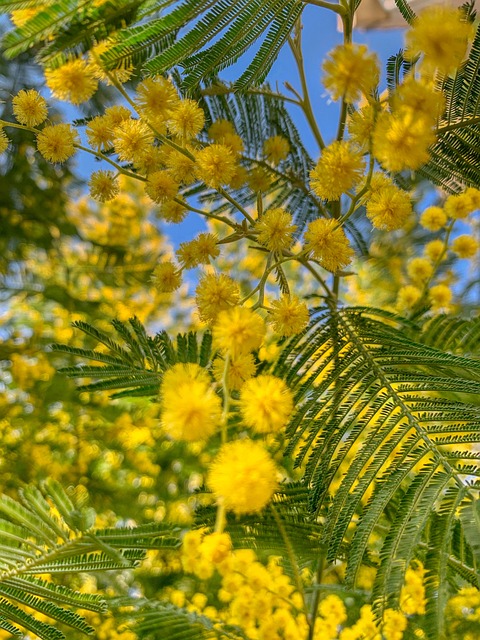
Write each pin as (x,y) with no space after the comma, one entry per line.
(190,408)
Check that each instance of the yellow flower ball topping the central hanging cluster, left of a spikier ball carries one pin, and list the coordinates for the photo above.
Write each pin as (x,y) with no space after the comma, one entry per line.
(238,331)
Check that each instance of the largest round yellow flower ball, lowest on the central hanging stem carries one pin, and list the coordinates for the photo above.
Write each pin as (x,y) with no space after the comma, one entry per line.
(243,476)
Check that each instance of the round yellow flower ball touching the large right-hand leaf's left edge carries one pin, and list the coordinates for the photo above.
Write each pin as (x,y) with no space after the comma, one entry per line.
(266,404)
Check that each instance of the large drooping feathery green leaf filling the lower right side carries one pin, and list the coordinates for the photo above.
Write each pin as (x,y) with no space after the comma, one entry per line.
(370,395)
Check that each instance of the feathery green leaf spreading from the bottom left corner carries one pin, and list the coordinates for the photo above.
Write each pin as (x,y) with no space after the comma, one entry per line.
(34,540)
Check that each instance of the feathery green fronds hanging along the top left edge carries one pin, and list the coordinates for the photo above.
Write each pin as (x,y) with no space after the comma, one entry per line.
(218,34)
